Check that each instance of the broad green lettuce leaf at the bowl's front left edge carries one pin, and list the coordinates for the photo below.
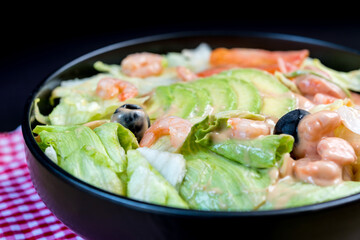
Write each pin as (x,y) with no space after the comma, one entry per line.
(81,152)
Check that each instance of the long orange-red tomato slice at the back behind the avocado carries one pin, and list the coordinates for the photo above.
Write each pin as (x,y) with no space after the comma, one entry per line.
(270,61)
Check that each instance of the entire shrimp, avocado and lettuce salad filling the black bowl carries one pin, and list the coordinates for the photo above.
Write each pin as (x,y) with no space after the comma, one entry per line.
(210,129)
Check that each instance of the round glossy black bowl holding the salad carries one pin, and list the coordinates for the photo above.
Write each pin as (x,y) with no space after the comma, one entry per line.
(97,214)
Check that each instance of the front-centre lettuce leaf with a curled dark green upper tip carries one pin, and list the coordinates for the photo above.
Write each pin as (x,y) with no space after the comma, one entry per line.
(213,182)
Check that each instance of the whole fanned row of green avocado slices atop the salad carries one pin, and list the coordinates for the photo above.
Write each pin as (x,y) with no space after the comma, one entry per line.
(247,89)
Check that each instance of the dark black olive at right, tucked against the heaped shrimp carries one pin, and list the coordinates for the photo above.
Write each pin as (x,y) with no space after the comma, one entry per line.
(288,123)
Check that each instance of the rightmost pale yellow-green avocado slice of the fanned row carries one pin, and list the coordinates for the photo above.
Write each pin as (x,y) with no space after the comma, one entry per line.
(277,99)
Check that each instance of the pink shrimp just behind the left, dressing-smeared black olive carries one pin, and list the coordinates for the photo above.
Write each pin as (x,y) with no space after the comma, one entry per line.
(108,88)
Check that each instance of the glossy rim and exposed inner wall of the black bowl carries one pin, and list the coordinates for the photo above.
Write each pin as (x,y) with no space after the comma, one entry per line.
(334,56)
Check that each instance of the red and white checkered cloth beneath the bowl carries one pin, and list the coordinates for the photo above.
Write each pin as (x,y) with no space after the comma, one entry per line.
(22,213)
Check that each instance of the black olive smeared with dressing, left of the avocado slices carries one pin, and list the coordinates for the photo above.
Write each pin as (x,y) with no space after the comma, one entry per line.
(133,117)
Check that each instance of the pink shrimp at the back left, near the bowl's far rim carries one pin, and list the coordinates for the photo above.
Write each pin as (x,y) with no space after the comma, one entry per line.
(142,65)
